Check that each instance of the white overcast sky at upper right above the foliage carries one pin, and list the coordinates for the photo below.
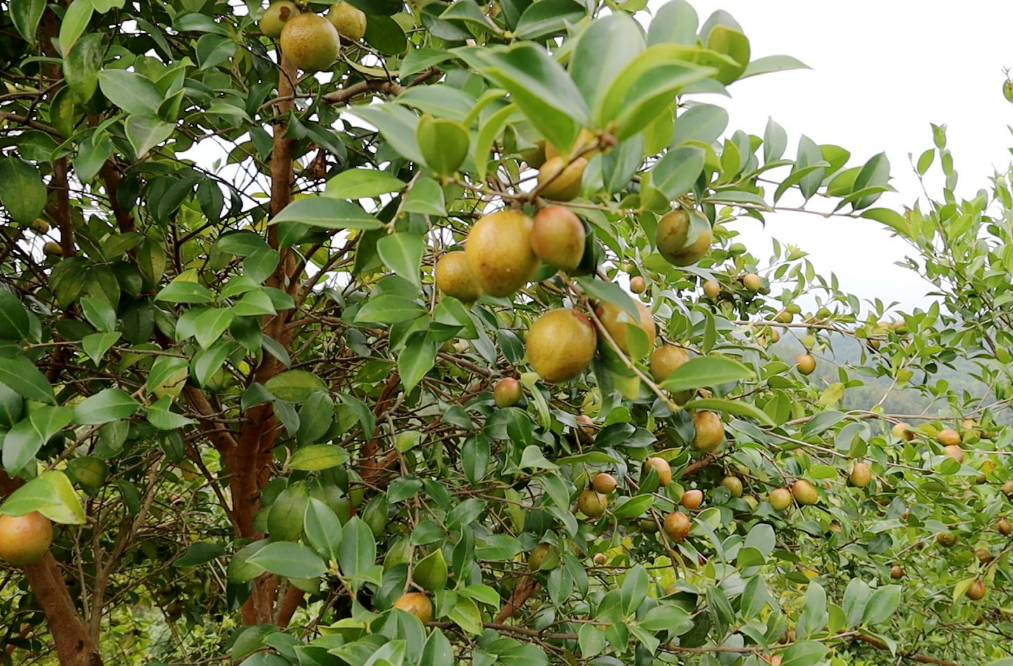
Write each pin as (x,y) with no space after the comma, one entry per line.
(882,72)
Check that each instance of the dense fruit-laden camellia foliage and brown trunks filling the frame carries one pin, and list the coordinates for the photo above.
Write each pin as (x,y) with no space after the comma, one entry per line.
(316,349)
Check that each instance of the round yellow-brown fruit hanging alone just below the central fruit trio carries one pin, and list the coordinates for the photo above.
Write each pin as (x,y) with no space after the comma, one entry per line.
(561,345)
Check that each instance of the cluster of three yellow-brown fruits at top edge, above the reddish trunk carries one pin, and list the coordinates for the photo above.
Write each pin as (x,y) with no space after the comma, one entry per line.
(309,41)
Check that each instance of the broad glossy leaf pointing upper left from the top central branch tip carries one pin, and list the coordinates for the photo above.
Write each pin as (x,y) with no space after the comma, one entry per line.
(538,86)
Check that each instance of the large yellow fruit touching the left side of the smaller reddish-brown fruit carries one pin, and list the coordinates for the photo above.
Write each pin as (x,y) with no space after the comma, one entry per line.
(500,254)
